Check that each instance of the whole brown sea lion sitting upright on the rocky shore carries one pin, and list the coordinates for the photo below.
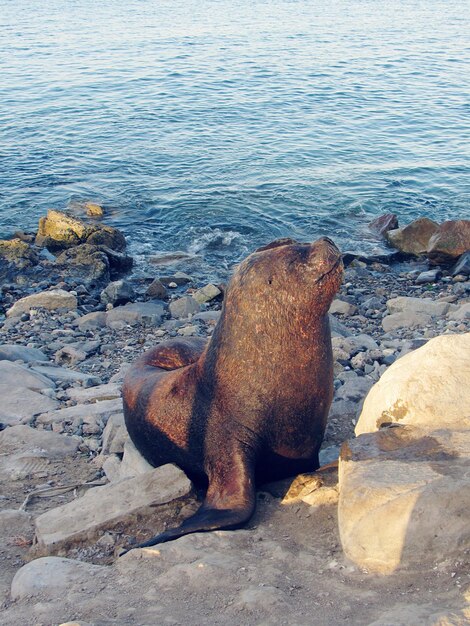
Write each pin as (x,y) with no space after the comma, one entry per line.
(251,405)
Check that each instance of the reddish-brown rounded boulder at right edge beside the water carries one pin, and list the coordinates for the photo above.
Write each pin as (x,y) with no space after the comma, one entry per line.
(451,240)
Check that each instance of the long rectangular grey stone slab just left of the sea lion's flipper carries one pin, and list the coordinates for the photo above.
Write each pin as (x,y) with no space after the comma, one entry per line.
(116,504)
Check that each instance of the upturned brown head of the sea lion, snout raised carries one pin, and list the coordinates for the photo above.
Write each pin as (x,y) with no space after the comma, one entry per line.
(289,274)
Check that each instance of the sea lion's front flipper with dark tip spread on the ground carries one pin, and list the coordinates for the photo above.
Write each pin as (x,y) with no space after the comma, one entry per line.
(229,502)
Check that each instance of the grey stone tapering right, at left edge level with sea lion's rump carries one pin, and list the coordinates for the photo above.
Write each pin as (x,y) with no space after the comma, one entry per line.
(20,404)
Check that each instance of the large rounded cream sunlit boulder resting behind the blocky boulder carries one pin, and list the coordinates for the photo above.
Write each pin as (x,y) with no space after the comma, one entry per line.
(427,387)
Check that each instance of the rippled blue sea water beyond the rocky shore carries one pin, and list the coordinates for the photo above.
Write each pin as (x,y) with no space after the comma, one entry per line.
(214,126)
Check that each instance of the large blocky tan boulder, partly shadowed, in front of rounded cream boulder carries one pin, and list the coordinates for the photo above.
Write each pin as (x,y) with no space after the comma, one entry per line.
(404,498)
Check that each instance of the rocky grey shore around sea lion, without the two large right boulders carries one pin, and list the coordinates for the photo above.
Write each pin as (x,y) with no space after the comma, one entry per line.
(73,317)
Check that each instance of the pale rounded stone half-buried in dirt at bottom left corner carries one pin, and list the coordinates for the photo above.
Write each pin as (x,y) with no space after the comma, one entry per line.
(52,577)
